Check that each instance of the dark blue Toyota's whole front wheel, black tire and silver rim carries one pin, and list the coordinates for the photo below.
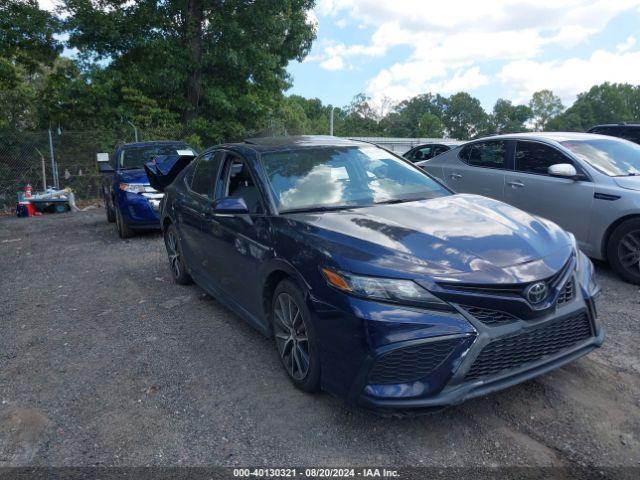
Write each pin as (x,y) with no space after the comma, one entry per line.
(295,337)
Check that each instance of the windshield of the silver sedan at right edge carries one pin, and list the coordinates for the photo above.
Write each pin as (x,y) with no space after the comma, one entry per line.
(616,158)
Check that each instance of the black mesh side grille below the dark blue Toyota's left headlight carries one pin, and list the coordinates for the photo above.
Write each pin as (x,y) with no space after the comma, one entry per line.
(409,364)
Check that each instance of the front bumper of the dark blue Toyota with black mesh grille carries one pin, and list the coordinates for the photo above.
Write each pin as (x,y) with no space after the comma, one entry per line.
(454,356)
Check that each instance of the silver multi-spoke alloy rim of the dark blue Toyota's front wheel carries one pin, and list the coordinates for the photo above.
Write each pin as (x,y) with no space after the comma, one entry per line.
(291,336)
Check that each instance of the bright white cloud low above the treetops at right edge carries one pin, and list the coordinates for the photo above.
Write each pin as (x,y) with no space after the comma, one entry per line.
(568,77)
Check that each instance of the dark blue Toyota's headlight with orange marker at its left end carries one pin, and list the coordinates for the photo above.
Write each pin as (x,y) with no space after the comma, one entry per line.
(394,290)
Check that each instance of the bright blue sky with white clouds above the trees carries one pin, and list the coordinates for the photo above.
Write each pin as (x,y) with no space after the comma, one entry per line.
(394,49)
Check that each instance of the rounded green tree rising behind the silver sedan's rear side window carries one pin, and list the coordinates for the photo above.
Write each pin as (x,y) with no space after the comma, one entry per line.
(464,117)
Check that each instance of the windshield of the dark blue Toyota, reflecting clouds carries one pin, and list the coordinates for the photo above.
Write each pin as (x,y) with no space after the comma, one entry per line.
(344,177)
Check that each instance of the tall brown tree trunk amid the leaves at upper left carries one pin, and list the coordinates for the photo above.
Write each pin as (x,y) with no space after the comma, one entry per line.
(193,40)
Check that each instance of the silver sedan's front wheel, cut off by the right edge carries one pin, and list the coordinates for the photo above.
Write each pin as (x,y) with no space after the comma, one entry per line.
(623,250)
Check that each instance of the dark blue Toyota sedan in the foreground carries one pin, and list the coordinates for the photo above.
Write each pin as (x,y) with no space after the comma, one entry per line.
(375,281)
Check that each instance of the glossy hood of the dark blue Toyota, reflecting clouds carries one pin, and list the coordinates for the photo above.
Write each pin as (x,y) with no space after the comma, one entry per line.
(458,238)
